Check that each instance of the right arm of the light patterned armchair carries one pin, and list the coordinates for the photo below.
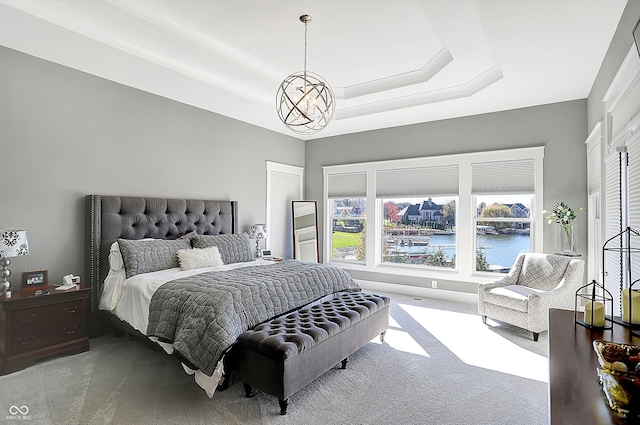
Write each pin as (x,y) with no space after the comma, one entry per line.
(562,296)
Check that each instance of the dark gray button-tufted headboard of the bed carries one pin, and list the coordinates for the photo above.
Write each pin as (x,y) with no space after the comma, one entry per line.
(113,217)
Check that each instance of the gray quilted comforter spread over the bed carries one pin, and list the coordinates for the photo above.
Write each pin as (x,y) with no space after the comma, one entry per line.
(202,315)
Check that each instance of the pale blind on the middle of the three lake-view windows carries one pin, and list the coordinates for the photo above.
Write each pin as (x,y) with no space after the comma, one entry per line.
(425,181)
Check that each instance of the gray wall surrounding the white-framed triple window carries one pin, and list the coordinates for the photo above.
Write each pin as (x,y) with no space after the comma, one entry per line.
(560,127)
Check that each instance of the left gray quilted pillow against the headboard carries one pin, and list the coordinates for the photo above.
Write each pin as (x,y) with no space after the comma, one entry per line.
(145,256)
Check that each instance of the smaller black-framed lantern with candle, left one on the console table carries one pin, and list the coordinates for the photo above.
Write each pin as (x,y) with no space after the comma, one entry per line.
(598,306)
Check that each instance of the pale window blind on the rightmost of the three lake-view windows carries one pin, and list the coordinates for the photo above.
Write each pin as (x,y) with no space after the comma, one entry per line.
(503,177)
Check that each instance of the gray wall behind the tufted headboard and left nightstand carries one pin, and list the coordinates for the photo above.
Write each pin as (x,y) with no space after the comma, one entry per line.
(65,134)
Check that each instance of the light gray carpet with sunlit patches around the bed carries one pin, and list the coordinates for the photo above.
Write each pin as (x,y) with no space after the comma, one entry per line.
(438,365)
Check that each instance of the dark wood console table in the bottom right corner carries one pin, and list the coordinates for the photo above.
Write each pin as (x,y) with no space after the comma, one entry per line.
(575,393)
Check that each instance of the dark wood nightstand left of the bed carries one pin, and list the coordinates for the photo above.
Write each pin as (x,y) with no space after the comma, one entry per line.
(35,327)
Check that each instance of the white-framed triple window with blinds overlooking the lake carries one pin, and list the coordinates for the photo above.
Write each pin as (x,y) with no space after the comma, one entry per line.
(461,215)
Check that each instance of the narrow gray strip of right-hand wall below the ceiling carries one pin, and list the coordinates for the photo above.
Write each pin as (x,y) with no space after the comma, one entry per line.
(618,49)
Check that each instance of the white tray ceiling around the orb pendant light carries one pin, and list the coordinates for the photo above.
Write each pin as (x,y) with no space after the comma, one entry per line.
(390,62)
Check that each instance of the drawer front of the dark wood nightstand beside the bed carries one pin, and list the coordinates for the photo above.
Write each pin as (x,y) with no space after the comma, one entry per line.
(45,325)
